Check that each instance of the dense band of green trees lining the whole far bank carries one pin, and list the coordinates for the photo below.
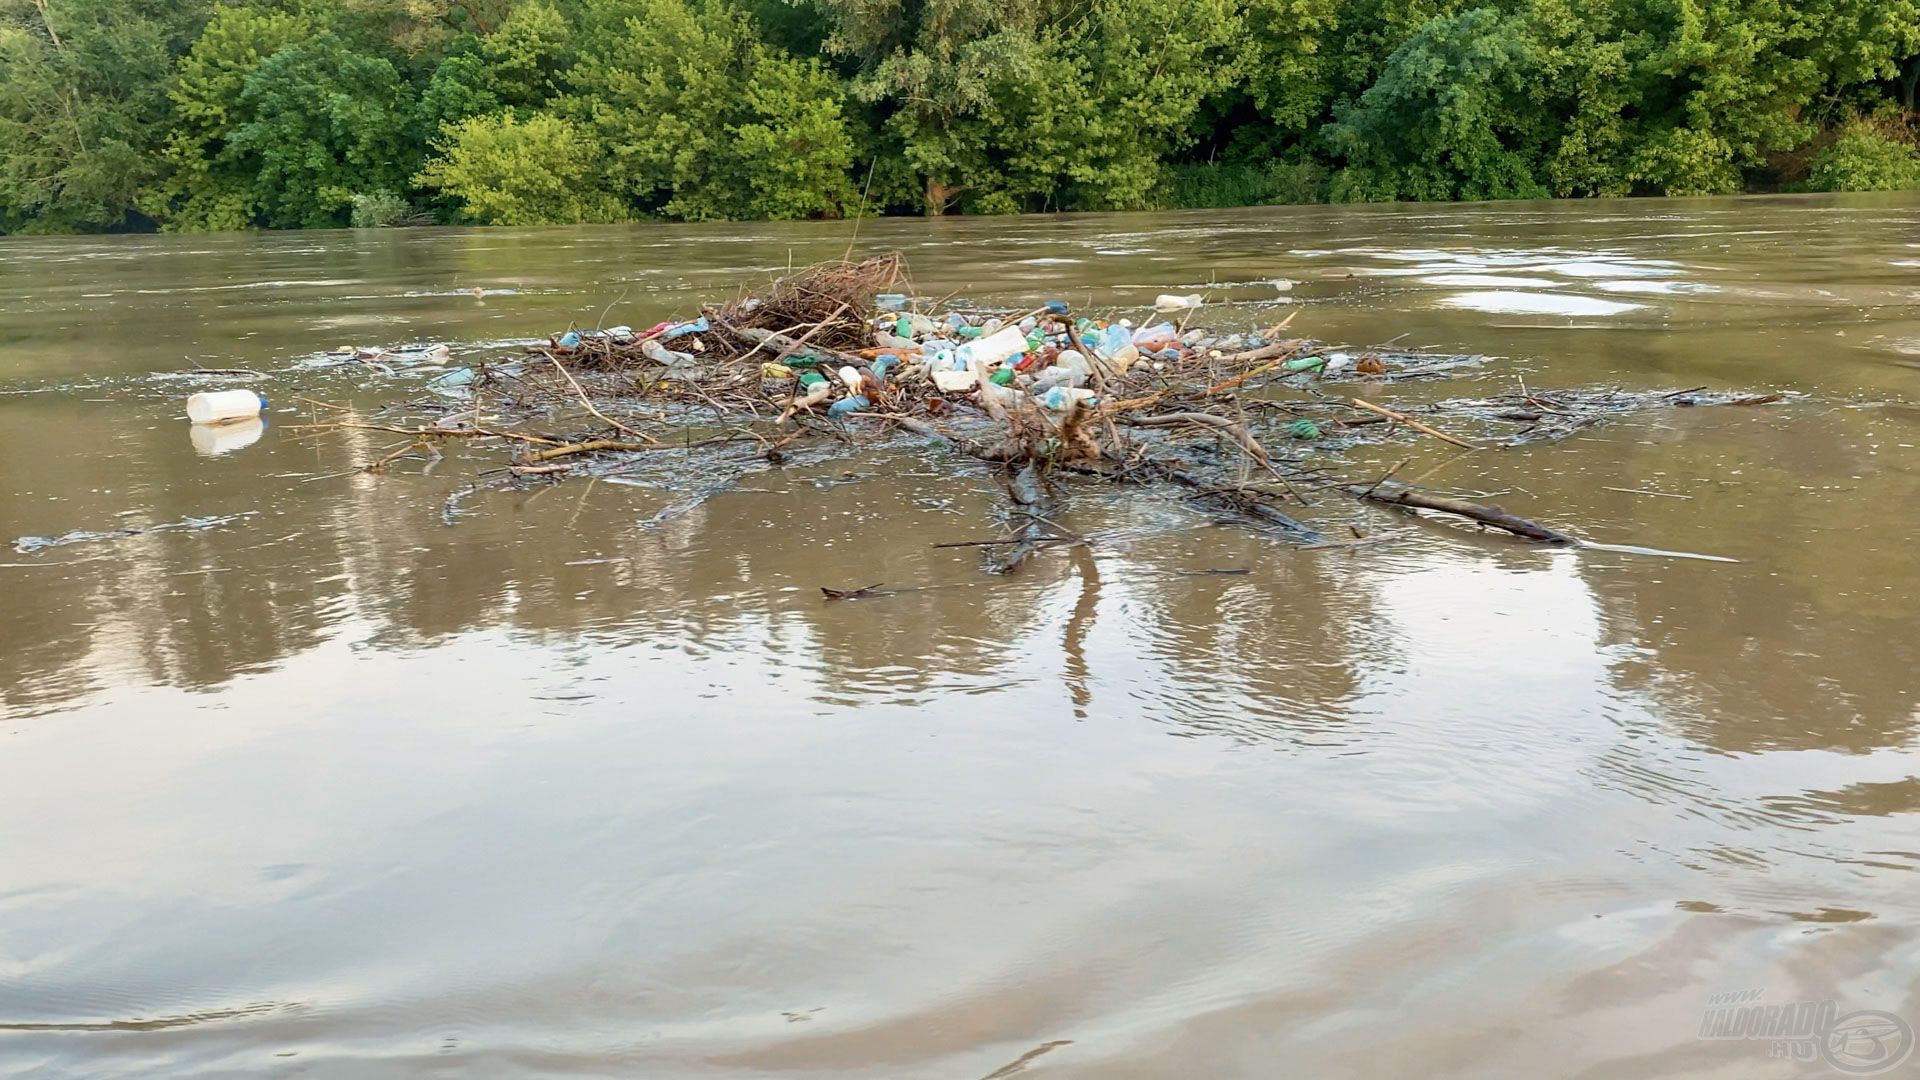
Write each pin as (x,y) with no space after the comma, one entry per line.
(285,114)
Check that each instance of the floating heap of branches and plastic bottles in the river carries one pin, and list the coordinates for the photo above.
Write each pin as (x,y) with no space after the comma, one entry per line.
(842,358)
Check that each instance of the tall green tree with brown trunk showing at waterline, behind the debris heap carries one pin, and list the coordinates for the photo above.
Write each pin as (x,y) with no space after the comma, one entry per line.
(1036,105)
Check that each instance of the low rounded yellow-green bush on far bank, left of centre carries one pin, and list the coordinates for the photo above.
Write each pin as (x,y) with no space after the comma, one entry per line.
(508,172)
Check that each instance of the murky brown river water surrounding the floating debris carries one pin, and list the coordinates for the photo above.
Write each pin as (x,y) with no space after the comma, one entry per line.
(588,779)
